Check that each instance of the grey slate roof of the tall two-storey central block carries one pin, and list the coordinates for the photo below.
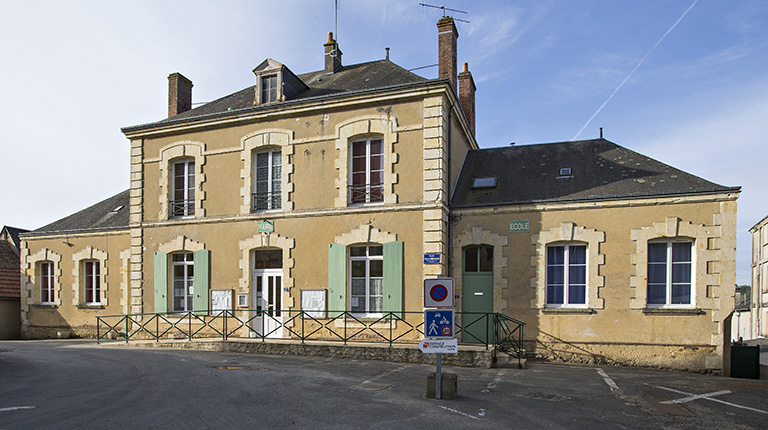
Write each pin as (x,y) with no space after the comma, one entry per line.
(357,77)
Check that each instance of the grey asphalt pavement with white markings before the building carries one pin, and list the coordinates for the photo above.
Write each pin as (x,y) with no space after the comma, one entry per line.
(68,384)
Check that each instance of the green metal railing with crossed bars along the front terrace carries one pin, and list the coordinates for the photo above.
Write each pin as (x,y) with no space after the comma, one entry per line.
(492,330)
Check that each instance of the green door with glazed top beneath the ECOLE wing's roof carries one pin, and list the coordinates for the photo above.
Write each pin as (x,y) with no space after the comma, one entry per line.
(477,294)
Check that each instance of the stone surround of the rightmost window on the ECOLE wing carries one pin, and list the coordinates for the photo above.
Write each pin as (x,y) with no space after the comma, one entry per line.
(703,276)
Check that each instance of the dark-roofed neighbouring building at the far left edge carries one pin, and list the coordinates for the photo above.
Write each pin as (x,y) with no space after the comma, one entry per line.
(10,283)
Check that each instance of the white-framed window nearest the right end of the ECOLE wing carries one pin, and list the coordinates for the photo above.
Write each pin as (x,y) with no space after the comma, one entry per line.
(669,274)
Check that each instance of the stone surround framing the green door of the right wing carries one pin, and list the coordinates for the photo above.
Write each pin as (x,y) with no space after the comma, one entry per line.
(474,236)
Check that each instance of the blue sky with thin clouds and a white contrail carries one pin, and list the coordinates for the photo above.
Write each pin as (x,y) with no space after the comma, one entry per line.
(76,71)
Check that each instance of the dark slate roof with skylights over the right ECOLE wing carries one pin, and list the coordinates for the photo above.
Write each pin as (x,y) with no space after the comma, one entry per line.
(600,170)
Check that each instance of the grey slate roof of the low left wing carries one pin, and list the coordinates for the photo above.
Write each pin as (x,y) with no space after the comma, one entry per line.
(102,216)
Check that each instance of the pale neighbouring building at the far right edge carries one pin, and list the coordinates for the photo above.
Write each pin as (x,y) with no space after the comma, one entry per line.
(759,302)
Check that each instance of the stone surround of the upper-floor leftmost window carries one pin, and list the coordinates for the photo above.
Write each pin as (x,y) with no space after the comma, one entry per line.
(170,154)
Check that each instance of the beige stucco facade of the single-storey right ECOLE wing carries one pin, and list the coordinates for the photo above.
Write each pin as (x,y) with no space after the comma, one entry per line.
(616,326)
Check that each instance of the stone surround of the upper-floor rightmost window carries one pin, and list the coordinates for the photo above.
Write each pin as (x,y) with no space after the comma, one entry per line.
(360,127)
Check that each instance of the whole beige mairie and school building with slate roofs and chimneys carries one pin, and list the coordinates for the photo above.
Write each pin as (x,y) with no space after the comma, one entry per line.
(336,184)
